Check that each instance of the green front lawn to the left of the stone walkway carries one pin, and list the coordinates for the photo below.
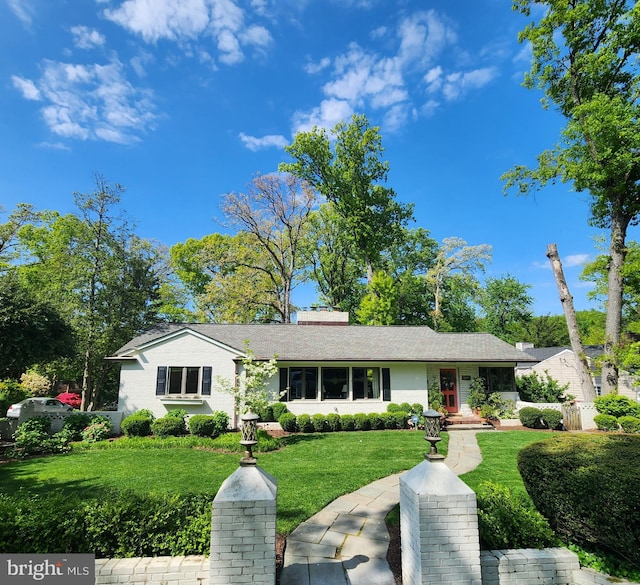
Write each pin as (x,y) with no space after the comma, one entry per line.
(312,470)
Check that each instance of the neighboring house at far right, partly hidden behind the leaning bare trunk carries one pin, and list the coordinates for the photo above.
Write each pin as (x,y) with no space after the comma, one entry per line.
(561,365)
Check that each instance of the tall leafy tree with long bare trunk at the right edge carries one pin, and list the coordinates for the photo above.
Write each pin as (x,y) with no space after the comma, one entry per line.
(585,60)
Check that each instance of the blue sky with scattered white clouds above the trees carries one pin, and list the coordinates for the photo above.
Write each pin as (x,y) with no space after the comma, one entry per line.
(183,100)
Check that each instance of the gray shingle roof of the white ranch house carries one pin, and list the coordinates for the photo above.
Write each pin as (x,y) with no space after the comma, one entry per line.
(345,343)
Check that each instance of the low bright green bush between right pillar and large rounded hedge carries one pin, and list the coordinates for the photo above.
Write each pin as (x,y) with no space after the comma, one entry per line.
(508,520)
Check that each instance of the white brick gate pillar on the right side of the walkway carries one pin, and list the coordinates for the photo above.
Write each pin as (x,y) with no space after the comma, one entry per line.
(439,527)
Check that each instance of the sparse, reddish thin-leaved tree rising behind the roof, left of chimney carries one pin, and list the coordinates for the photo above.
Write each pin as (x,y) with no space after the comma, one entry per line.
(275,211)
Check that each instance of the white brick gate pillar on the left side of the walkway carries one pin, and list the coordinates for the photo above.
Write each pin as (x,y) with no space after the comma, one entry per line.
(243,529)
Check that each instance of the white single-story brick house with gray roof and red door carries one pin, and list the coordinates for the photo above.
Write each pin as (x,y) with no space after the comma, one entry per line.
(325,365)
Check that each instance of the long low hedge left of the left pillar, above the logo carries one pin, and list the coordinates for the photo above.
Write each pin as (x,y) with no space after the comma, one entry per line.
(111,525)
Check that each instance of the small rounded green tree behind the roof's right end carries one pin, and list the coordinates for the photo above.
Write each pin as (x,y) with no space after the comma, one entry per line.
(507,306)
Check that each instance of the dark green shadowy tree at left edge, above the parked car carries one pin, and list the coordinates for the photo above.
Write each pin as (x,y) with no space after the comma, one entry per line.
(31,330)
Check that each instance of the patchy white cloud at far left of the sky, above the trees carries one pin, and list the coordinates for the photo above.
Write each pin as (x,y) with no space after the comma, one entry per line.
(90,102)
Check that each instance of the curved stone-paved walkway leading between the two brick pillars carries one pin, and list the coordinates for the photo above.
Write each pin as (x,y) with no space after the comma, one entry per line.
(347,542)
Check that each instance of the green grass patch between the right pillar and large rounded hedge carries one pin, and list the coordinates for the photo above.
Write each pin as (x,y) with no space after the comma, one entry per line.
(499,458)
